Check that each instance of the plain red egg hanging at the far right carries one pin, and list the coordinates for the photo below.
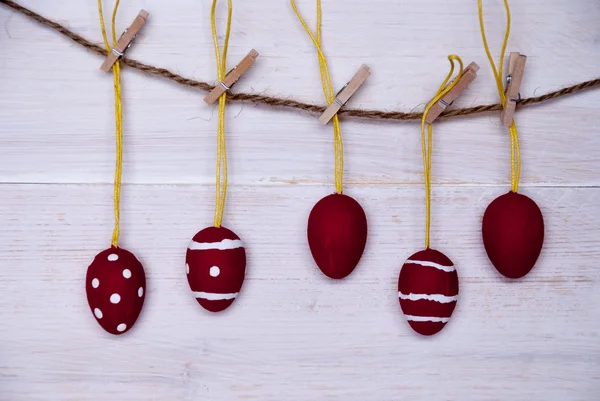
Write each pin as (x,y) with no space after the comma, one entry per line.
(513,234)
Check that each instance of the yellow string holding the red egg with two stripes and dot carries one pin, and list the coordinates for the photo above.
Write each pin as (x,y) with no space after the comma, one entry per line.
(221,188)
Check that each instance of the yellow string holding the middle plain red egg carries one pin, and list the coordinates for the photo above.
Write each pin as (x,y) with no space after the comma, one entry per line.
(329,95)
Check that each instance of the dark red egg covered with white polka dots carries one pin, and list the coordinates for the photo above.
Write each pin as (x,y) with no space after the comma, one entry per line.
(115,285)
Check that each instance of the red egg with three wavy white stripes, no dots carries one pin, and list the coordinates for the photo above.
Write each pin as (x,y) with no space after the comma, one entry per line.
(427,291)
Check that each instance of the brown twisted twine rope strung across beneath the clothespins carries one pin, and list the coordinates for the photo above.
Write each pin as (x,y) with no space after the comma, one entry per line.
(290,103)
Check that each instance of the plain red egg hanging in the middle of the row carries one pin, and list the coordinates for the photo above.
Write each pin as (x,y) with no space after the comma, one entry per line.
(337,234)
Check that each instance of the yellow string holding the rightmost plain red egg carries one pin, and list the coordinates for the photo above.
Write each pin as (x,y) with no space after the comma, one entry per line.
(515,152)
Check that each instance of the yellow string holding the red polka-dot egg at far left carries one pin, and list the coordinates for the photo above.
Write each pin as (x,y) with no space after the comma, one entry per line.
(118,118)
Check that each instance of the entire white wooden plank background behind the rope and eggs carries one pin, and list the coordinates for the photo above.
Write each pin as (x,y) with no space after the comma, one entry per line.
(293,334)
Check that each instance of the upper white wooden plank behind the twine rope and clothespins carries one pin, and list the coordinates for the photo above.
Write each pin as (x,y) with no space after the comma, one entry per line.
(57,113)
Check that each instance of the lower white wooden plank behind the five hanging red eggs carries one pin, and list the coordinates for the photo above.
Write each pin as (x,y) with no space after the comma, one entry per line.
(344,340)
